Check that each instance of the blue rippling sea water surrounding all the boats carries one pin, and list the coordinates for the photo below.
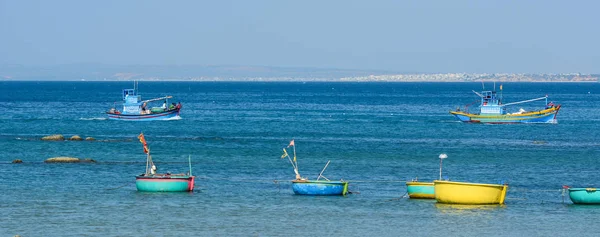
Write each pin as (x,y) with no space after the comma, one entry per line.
(377,135)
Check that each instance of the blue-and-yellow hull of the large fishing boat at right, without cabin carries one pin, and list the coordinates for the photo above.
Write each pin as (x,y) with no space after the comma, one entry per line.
(542,116)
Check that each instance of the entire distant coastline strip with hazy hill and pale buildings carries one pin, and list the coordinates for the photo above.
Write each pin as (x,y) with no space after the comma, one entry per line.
(100,72)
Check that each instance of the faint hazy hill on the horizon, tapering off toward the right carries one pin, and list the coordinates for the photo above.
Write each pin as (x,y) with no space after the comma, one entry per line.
(173,72)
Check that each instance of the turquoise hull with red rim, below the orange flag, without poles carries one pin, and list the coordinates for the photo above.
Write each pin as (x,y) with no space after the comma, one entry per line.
(164,183)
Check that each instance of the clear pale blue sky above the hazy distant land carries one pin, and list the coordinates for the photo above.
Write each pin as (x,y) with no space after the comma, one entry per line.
(437,36)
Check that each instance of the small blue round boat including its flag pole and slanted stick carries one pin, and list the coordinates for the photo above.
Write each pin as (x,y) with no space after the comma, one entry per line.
(304,186)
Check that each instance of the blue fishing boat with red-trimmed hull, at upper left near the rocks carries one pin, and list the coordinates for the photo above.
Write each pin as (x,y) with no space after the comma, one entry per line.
(136,109)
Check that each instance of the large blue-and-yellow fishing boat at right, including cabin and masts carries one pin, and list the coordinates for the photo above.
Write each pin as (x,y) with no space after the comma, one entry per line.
(493,110)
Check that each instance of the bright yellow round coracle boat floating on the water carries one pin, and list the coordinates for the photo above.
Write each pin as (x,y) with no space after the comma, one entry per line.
(469,193)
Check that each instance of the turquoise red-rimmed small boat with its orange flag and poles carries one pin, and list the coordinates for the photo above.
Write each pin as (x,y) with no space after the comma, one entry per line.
(150,181)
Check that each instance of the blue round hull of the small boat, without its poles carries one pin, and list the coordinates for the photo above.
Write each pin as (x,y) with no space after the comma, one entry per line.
(319,188)
